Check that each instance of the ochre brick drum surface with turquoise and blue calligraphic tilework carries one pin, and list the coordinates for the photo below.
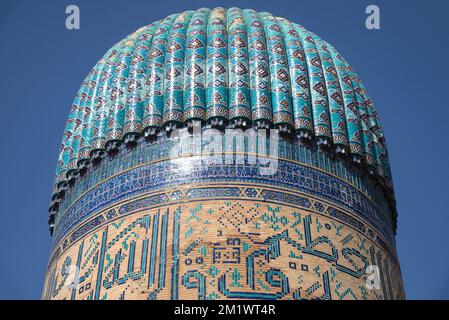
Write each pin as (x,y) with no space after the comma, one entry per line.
(222,249)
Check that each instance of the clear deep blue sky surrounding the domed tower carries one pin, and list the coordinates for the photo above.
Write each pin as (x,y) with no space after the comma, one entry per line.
(404,67)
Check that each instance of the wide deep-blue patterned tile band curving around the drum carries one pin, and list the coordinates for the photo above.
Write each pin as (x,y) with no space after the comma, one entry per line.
(164,175)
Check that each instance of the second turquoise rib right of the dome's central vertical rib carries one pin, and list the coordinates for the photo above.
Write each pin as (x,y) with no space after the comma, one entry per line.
(260,84)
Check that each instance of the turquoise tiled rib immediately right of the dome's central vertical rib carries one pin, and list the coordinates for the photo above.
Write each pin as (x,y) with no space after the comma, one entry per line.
(239,81)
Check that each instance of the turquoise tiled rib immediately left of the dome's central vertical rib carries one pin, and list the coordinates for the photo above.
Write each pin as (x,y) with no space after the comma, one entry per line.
(195,68)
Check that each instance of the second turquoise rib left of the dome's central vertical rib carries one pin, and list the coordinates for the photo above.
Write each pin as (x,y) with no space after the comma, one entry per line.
(173,79)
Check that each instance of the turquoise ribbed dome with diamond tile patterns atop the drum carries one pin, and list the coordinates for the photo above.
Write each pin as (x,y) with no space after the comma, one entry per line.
(224,68)
